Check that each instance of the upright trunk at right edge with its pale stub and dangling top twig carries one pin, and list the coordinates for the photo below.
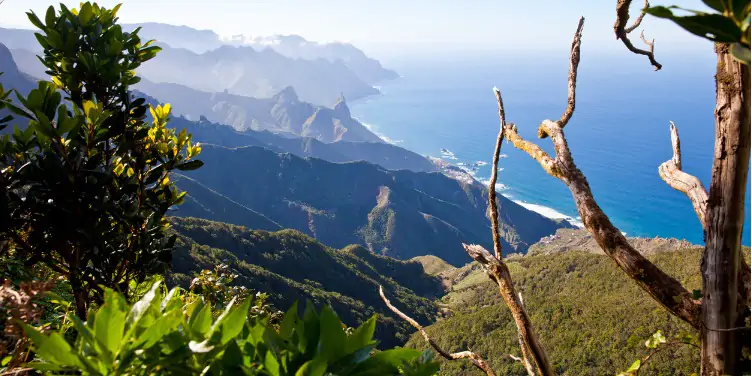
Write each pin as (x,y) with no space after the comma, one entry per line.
(725,274)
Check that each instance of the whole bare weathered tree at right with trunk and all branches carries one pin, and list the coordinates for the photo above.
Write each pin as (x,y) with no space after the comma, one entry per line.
(720,317)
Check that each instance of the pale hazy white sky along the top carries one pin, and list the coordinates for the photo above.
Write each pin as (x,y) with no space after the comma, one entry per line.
(396,25)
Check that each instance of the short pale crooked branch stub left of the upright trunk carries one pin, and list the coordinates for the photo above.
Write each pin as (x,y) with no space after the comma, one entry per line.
(671,172)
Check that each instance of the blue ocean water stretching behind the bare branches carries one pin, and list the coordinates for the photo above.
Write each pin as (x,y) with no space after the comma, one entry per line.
(619,134)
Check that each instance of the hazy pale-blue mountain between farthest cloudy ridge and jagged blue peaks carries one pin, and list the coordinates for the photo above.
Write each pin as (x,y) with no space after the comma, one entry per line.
(245,71)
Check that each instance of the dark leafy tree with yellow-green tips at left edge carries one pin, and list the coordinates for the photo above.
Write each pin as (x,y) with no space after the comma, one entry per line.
(84,189)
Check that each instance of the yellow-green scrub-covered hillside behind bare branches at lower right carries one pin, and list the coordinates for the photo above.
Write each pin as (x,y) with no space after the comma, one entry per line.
(590,317)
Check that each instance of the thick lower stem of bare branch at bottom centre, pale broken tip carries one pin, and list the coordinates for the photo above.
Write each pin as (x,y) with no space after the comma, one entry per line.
(499,273)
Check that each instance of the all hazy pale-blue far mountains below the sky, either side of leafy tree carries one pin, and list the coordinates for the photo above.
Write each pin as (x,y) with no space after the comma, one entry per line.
(200,59)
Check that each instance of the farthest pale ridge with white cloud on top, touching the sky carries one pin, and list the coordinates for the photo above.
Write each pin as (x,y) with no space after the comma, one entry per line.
(297,47)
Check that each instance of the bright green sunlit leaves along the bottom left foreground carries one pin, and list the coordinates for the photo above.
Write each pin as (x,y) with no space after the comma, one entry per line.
(167,333)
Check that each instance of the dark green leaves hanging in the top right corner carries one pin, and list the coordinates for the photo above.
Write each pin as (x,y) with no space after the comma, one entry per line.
(730,25)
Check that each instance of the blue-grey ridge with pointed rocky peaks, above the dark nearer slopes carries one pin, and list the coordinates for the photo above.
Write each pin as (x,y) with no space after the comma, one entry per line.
(283,112)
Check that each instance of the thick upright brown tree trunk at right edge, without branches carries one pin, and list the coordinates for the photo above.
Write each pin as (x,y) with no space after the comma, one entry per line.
(722,311)
